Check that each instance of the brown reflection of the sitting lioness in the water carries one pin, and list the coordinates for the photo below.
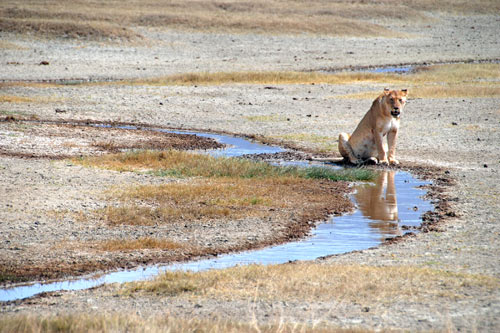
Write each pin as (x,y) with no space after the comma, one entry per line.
(379,203)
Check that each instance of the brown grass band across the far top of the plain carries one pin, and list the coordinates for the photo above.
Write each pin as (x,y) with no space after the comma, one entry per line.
(117,19)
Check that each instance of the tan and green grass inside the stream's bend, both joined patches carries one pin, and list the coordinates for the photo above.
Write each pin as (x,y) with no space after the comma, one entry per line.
(228,188)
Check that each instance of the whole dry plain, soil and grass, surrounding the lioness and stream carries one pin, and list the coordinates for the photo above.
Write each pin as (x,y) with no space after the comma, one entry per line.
(287,72)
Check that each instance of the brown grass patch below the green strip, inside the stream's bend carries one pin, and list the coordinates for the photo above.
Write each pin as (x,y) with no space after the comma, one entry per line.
(222,198)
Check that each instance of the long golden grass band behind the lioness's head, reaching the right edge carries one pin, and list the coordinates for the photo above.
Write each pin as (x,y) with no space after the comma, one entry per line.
(476,75)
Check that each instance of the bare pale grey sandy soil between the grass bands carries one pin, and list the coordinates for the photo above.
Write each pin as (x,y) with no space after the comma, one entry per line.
(457,136)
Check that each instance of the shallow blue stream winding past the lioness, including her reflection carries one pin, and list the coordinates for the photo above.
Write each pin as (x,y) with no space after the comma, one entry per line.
(388,207)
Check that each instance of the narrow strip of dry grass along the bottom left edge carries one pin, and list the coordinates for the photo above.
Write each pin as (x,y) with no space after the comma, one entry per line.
(131,322)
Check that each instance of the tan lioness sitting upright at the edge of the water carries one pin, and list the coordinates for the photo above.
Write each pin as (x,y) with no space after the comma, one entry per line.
(366,143)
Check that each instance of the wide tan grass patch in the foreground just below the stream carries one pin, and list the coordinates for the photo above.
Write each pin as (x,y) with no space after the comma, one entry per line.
(315,282)
